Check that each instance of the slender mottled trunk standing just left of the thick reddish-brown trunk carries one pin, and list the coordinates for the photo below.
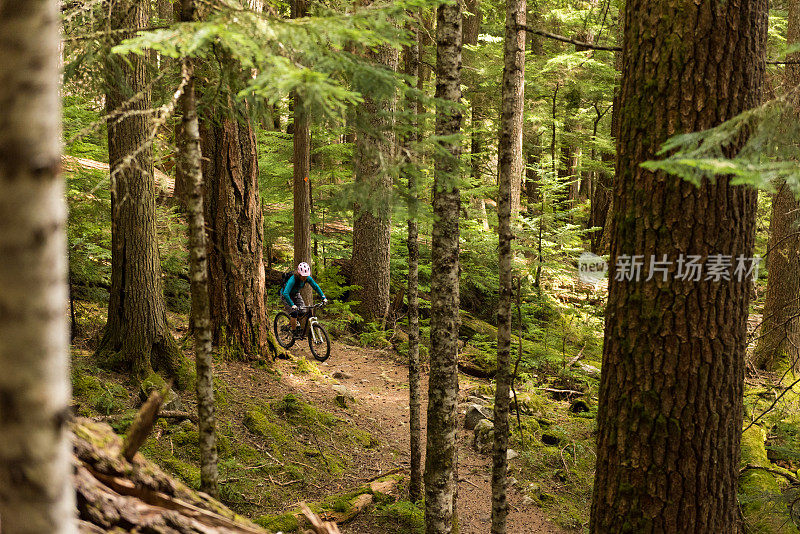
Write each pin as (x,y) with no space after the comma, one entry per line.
(191,164)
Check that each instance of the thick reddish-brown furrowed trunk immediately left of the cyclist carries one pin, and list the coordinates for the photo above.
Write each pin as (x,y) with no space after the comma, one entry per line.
(235,234)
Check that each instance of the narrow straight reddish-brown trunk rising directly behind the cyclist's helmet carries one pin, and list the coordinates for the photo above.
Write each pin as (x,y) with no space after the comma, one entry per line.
(301,175)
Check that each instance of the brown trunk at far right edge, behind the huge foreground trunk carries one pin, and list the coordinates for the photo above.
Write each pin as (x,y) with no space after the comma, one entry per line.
(780,328)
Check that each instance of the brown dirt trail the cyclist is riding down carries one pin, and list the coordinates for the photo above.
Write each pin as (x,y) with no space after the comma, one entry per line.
(379,382)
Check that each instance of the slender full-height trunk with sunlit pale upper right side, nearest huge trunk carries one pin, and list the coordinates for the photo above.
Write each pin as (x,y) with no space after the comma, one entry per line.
(509,149)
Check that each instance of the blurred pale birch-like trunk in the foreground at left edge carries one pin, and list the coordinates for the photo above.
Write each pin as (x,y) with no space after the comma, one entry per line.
(35,485)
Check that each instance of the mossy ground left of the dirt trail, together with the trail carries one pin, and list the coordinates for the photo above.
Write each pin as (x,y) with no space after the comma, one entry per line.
(273,456)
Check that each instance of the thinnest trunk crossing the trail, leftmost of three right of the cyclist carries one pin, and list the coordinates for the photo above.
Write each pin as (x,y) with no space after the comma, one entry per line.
(410,162)
